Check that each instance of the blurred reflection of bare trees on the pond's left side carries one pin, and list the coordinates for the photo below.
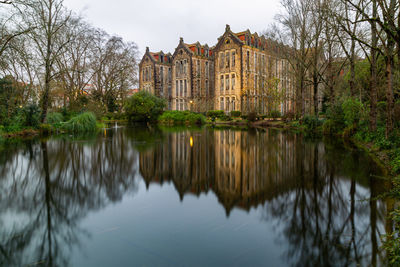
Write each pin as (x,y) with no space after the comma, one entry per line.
(48,187)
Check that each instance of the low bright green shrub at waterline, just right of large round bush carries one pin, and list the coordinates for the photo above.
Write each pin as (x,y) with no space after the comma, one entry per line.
(181,117)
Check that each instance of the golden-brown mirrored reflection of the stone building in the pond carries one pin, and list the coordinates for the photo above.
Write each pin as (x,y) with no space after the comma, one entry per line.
(243,168)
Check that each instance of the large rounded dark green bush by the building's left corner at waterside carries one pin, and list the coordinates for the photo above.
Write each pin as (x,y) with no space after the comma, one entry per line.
(144,107)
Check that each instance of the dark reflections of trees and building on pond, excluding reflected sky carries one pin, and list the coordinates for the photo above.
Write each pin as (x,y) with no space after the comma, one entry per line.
(318,196)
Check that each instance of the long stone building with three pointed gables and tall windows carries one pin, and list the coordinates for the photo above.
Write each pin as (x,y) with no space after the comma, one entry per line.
(243,72)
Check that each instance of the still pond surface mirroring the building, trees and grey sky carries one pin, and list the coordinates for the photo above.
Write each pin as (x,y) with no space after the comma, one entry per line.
(189,197)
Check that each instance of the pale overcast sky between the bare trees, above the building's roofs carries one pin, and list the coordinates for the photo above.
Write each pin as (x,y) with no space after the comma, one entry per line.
(158,24)
